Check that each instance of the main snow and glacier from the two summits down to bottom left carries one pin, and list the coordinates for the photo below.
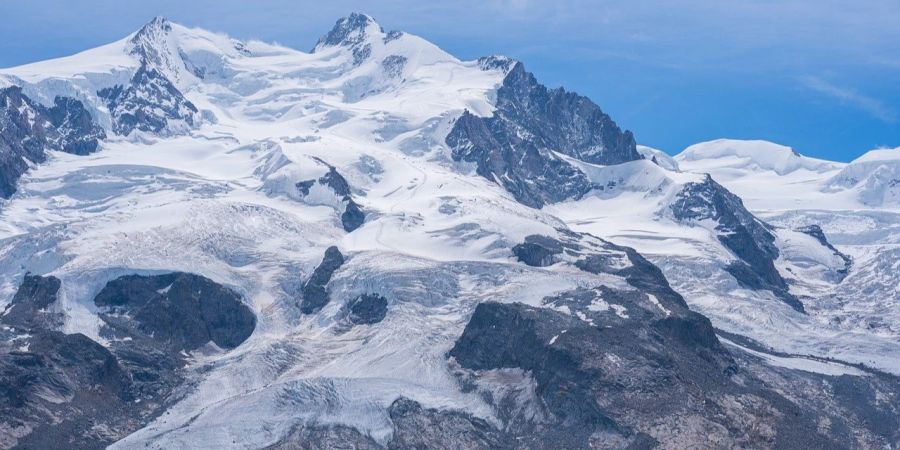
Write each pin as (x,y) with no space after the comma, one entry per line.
(221,202)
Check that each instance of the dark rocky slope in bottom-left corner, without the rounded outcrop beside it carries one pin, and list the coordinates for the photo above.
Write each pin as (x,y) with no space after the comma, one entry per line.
(65,390)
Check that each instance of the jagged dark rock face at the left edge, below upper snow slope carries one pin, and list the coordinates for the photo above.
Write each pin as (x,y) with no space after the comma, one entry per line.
(28,129)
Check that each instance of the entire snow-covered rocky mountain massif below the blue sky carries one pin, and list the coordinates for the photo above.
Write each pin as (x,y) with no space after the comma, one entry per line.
(208,243)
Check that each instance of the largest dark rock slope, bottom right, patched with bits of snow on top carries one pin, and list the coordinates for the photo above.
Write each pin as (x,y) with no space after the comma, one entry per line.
(605,380)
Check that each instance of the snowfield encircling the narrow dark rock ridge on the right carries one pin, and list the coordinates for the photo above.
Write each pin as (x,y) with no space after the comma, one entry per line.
(849,320)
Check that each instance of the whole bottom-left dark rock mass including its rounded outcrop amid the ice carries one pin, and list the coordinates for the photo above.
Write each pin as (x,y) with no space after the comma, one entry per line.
(65,390)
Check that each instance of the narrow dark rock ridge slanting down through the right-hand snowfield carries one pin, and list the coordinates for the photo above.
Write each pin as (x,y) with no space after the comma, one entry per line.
(738,230)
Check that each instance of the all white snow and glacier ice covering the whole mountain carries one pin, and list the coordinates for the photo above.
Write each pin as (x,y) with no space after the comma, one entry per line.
(221,201)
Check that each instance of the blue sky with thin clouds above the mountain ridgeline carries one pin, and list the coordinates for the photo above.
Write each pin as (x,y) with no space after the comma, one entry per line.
(822,76)
